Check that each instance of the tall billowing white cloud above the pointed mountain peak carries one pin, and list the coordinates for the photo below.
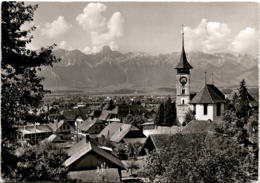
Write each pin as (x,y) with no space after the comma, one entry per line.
(102,32)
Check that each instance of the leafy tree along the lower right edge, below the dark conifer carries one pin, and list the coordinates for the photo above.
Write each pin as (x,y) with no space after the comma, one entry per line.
(245,132)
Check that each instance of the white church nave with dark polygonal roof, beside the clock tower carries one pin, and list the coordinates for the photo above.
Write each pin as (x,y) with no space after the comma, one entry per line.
(208,103)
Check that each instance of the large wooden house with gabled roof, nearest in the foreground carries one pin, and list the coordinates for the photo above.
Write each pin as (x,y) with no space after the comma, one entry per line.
(88,155)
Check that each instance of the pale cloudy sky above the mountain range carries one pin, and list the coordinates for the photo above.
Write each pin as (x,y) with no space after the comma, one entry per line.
(151,27)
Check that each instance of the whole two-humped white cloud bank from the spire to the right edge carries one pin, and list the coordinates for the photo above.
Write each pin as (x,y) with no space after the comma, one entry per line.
(212,37)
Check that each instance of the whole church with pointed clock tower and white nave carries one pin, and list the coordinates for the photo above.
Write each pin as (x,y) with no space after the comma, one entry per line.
(207,104)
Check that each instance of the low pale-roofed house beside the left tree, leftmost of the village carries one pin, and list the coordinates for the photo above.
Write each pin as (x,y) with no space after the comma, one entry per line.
(35,133)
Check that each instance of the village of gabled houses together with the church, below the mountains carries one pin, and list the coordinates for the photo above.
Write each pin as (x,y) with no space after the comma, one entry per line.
(107,138)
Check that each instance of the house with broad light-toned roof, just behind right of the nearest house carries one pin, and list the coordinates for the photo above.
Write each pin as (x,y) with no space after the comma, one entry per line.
(116,132)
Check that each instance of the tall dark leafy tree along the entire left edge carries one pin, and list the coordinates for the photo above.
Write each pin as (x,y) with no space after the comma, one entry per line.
(21,87)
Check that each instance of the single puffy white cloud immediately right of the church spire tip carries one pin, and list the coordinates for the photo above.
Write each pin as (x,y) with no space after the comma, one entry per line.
(208,37)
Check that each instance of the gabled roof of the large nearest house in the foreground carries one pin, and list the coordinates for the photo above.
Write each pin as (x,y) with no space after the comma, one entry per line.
(82,148)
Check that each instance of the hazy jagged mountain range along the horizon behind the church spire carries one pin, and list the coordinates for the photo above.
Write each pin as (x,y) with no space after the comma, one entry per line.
(116,70)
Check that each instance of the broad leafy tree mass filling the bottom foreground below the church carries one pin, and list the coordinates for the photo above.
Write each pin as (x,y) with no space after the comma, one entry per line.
(214,159)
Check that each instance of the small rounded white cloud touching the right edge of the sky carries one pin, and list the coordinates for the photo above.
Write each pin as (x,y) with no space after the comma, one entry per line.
(245,41)
